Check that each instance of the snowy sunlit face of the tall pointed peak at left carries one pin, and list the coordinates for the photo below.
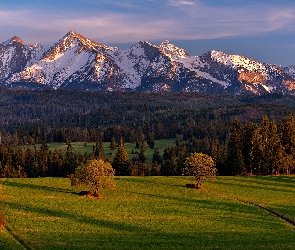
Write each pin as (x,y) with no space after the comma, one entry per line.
(60,62)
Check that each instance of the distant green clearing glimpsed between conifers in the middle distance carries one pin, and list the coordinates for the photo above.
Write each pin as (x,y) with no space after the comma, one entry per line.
(80,147)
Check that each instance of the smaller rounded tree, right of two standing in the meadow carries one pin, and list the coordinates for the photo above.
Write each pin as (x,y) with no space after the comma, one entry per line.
(201,166)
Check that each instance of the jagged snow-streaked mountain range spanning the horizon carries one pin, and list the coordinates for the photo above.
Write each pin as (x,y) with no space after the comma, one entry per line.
(75,62)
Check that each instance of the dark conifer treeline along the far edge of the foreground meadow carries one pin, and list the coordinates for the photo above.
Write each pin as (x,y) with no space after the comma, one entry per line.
(265,148)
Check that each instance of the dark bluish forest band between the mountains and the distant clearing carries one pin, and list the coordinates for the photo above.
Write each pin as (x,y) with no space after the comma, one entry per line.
(28,117)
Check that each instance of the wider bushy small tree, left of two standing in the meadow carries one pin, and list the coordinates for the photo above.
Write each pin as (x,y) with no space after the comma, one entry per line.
(95,175)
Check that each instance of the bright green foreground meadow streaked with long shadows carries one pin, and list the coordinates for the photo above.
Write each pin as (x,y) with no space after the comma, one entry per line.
(149,213)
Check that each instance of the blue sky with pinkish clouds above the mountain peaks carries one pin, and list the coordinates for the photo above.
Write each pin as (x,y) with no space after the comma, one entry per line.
(261,30)
